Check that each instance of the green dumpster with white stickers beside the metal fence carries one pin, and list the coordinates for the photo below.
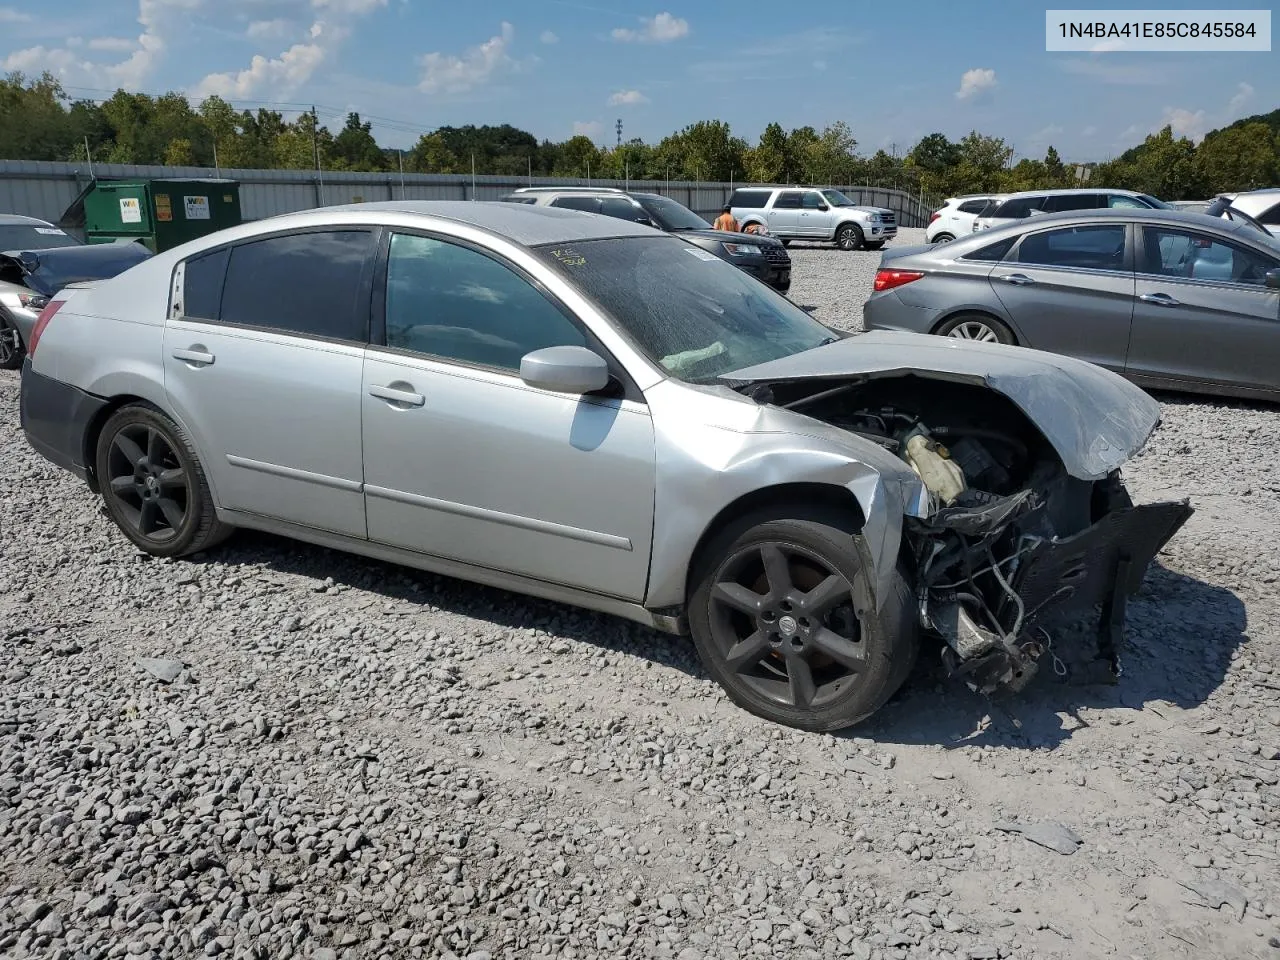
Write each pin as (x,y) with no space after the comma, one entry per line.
(162,213)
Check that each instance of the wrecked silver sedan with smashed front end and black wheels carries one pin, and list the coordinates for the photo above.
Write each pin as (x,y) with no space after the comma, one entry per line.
(592,412)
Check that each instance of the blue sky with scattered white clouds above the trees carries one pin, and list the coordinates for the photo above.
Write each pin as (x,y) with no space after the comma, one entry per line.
(893,72)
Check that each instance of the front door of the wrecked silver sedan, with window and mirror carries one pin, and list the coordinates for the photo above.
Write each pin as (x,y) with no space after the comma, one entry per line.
(465,461)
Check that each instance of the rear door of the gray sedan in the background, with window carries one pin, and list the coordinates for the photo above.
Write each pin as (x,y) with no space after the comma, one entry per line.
(1071,291)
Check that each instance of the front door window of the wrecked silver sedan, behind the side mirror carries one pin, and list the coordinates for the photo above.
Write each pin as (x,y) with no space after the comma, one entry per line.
(450,301)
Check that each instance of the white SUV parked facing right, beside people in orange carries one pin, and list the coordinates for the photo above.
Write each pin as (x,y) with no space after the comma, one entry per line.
(811,213)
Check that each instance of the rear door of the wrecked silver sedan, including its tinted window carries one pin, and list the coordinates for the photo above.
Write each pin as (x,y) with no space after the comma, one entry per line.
(263,359)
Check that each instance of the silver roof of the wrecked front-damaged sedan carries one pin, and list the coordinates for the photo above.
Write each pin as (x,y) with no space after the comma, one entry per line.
(523,223)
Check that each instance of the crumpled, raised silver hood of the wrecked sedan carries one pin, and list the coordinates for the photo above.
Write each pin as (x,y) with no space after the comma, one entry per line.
(1094,419)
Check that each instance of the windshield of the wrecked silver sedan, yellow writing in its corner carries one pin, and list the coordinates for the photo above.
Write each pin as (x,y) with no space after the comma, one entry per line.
(688,310)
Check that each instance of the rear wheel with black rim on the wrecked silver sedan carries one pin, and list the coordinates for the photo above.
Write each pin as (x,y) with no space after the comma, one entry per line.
(154,486)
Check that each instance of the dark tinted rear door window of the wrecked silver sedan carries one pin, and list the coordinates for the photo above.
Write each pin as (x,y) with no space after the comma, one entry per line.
(308,284)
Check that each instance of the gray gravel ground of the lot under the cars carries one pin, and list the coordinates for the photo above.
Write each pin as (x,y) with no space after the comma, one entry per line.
(360,761)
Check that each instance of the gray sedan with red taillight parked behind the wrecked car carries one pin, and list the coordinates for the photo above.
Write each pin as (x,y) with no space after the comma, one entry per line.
(1168,299)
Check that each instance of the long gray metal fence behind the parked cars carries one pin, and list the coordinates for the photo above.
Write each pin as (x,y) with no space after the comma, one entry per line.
(45,190)
